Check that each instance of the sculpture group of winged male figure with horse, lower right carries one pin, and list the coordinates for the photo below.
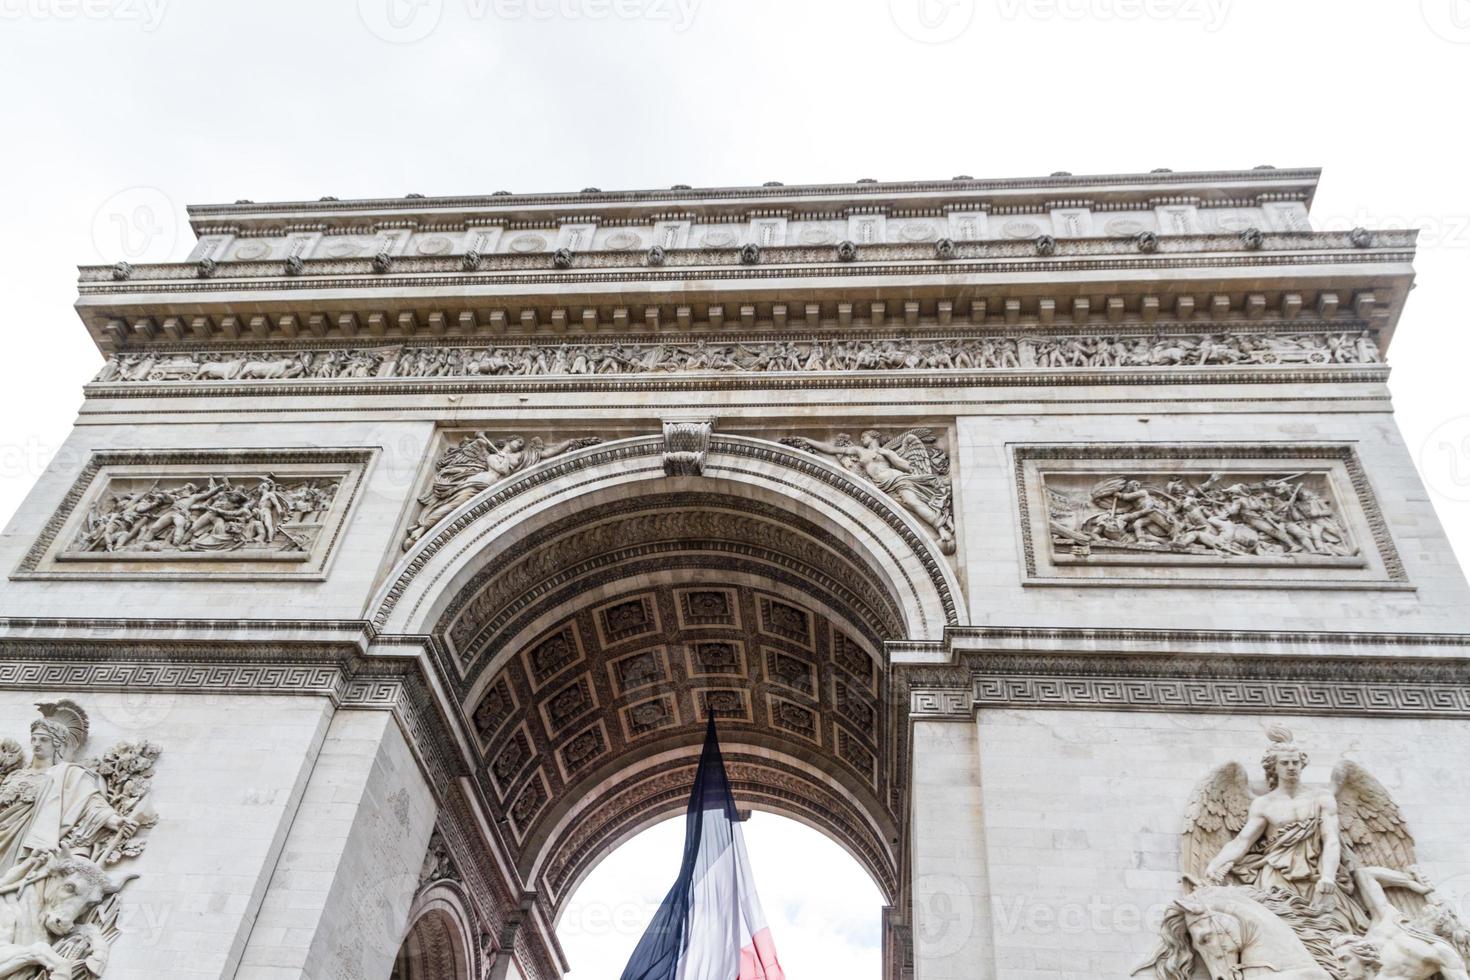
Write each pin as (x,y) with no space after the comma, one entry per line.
(1303,884)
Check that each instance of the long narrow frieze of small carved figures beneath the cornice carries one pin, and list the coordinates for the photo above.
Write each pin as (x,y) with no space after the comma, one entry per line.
(812,355)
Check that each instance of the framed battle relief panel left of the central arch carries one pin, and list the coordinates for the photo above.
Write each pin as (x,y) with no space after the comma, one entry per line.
(202,515)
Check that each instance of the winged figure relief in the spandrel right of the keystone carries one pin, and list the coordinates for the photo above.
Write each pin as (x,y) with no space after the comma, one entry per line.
(911,468)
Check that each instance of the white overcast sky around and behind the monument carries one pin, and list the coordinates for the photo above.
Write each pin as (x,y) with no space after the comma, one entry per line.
(120,112)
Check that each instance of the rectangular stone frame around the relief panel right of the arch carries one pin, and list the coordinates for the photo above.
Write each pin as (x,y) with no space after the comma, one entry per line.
(1165,462)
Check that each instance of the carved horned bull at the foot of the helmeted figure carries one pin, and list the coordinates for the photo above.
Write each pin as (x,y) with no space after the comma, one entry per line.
(45,926)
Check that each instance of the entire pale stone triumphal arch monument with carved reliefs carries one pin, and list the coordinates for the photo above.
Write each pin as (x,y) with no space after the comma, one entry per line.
(1027,537)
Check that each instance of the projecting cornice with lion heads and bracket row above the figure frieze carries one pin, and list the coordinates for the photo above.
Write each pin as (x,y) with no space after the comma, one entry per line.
(1205,281)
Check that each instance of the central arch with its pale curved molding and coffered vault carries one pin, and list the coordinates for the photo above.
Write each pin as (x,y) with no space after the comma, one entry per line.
(592,613)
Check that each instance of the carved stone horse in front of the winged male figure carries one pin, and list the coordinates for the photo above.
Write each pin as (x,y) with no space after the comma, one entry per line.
(1243,934)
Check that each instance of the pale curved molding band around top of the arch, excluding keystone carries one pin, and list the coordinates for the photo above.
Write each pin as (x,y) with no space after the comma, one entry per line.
(427,583)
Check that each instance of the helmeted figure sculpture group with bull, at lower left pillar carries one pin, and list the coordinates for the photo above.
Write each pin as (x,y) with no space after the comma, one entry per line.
(62,825)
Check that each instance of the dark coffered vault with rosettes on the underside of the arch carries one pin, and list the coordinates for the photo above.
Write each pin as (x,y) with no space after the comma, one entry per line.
(592,656)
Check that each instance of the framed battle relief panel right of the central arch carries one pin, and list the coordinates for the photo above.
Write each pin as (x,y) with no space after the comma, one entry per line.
(1259,515)
